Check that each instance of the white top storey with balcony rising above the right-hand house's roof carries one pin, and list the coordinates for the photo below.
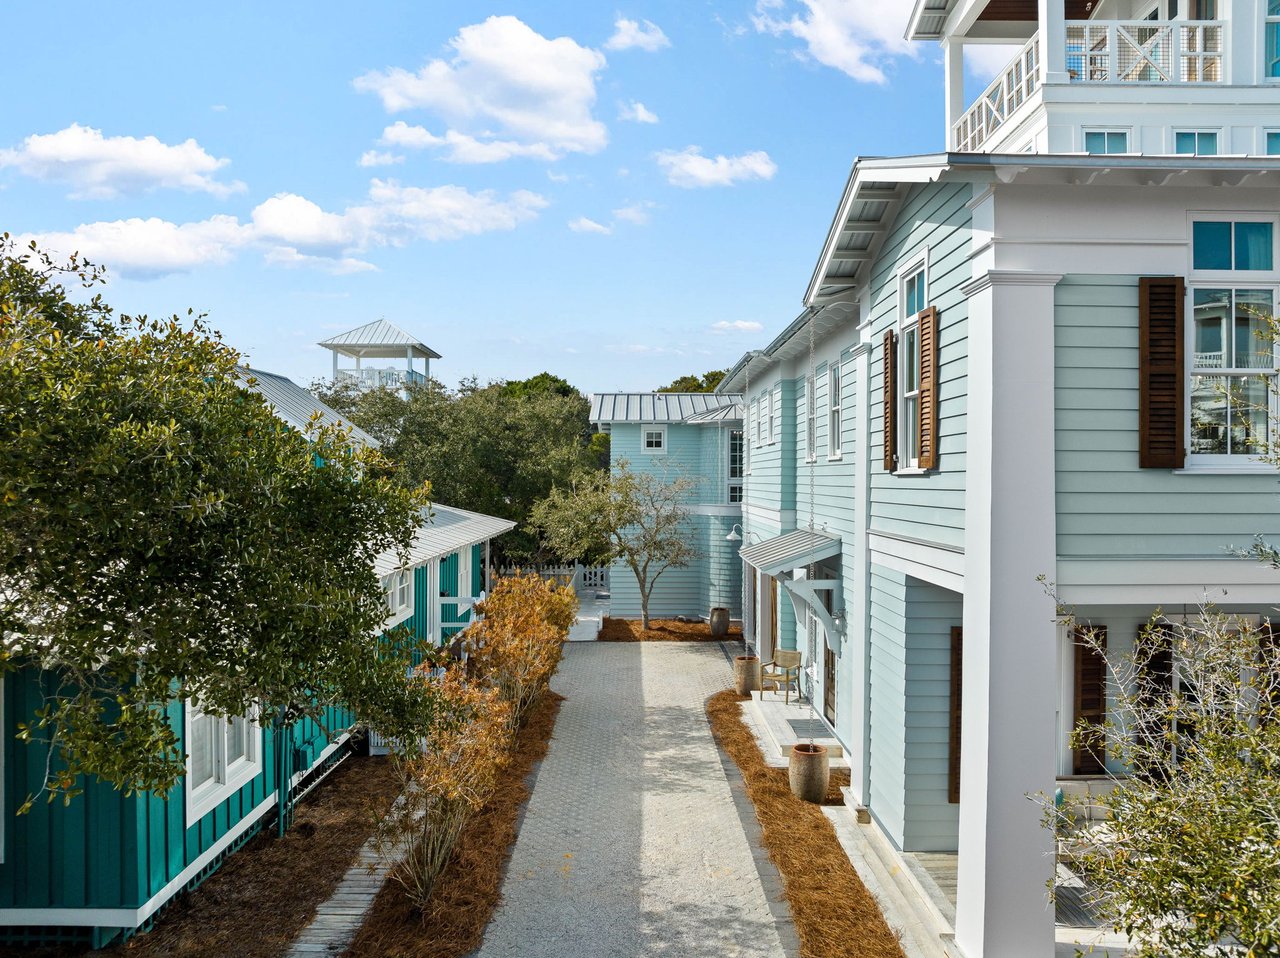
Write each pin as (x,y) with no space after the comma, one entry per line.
(1155,77)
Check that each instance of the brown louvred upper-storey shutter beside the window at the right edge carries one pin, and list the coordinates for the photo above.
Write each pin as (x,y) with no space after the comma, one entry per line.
(1162,373)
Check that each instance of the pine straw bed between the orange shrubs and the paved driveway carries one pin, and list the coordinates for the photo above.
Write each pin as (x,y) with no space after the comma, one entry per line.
(468,893)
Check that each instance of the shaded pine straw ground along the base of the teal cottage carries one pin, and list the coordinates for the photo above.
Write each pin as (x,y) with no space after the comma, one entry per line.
(262,897)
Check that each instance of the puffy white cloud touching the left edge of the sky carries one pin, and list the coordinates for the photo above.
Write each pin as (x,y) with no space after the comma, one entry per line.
(103,168)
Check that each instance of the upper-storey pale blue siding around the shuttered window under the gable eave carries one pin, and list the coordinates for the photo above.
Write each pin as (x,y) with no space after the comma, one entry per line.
(929,508)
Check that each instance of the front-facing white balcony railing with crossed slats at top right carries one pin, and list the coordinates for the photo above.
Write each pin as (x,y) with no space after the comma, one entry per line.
(1145,52)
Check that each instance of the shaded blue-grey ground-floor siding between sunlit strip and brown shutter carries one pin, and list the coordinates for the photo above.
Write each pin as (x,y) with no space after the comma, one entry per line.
(931,820)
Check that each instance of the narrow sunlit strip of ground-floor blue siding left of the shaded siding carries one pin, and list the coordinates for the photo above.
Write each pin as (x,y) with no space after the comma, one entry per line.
(888,690)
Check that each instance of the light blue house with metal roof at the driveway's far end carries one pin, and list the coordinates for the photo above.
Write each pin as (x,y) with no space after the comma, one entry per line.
(670,436)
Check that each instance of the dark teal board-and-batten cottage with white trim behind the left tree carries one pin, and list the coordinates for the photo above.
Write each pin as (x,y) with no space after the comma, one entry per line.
(106,865)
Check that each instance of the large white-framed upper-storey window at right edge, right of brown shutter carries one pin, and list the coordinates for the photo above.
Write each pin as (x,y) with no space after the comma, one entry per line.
(1232,354)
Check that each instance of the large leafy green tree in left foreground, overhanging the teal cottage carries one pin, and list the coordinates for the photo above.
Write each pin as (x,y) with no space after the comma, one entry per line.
(163,536)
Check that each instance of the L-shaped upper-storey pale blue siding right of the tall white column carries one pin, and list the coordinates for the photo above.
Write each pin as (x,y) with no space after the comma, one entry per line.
(1107,505)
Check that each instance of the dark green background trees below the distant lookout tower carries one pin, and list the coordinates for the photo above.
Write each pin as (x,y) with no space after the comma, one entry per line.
(495,449)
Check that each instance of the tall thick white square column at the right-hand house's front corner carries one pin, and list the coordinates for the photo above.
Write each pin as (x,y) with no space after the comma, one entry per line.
(1008,724)
